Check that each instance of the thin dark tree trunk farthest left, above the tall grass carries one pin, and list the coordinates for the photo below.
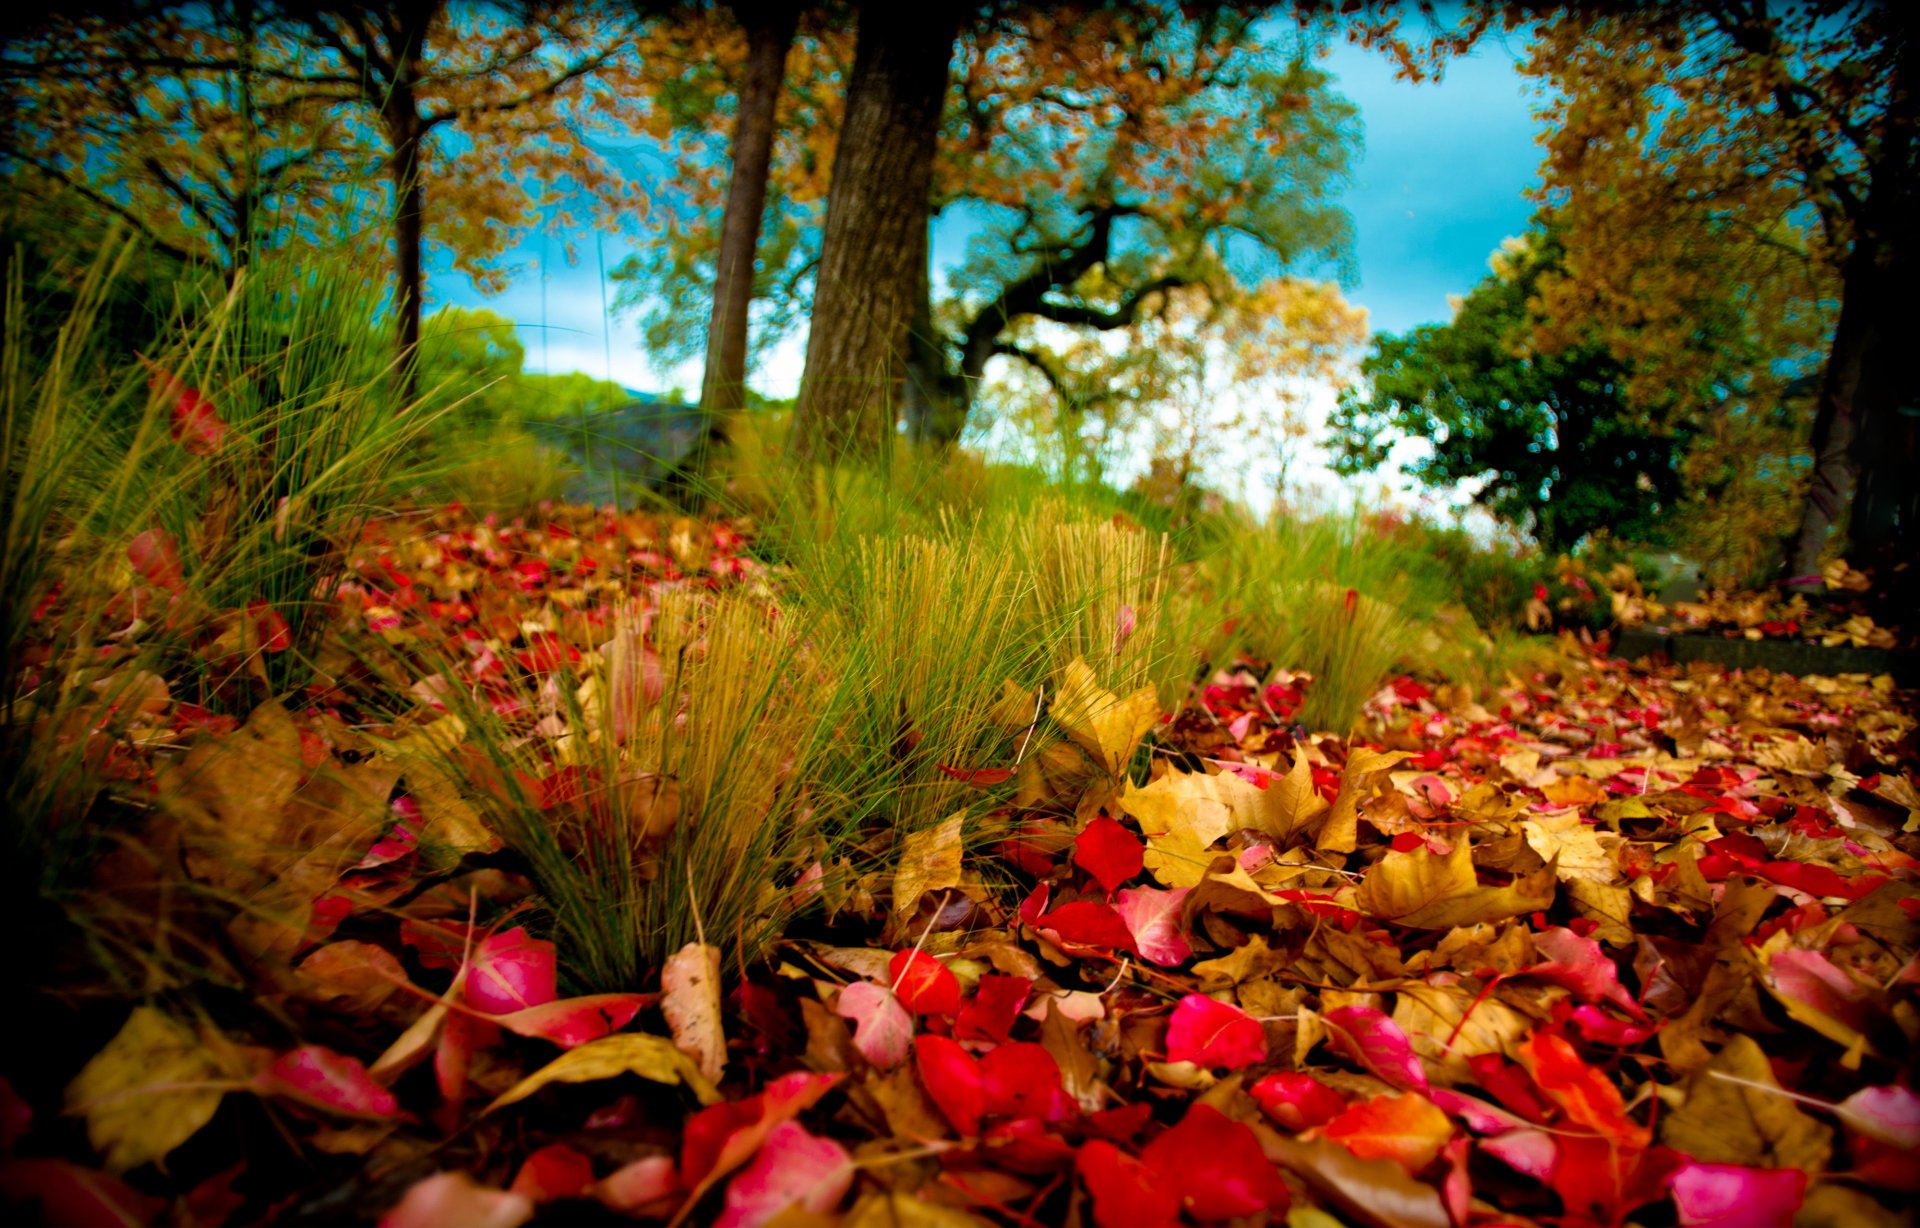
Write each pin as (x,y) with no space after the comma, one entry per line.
(406,131)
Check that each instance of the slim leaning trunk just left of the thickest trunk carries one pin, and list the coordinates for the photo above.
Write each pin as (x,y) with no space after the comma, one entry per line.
(769,26)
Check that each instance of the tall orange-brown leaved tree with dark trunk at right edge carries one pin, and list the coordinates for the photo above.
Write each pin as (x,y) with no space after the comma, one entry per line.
(1769,147)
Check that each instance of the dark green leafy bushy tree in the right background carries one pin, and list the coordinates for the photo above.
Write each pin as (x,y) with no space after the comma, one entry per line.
(1556,442)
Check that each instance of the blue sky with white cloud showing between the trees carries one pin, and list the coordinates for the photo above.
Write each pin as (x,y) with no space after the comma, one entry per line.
(1439,183)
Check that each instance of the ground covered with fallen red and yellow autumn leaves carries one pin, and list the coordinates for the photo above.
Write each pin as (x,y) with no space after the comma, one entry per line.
(1608,943)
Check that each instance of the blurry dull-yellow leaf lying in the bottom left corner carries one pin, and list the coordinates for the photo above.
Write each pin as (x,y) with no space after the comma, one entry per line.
(143,1095)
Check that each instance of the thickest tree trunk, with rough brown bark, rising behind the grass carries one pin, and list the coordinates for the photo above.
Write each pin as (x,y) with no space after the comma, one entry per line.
(876,231)
